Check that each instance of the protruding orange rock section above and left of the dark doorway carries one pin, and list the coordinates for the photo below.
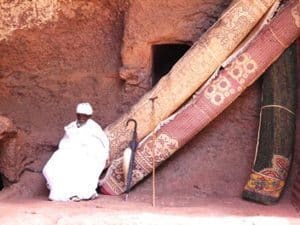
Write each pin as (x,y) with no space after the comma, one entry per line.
(176,22)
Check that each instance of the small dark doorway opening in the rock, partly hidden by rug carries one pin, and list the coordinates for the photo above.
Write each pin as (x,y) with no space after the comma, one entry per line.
(164,57)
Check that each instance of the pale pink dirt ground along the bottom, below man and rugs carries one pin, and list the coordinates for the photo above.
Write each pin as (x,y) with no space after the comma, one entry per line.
(138,209)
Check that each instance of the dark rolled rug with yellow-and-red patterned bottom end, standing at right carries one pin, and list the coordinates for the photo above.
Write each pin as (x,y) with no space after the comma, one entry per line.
(276,134)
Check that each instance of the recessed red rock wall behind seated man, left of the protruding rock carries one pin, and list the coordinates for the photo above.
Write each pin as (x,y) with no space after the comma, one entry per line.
(54,54)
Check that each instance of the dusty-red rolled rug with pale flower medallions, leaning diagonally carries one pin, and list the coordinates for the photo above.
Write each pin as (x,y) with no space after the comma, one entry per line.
(210,100)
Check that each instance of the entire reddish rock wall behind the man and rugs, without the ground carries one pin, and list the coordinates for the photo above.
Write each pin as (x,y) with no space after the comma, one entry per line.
(54,54)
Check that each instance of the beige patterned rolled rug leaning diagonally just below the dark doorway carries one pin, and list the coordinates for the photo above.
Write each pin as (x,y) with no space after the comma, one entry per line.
(189,73)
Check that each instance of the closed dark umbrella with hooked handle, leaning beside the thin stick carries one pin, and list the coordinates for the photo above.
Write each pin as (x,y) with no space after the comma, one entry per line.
(129,155)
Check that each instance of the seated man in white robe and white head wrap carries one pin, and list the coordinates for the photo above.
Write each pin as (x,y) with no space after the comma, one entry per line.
(73,170)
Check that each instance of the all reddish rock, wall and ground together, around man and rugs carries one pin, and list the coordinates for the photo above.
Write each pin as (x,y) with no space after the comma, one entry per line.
(73,52)
